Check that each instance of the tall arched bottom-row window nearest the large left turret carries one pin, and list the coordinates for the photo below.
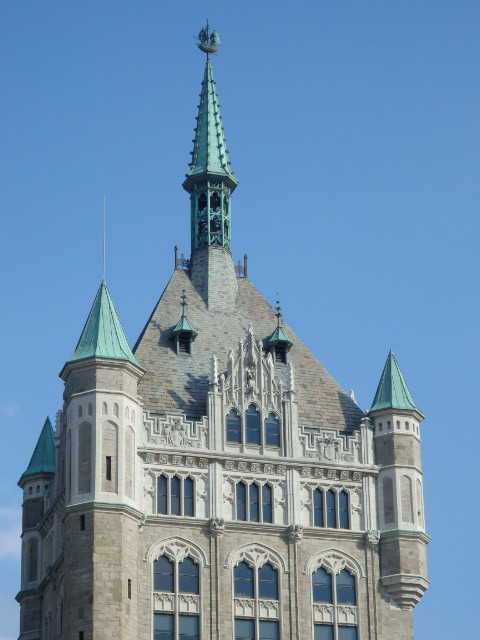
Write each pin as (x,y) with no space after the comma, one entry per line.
(179,585)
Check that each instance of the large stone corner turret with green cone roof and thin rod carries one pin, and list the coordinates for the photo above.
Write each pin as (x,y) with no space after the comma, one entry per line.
(103,417)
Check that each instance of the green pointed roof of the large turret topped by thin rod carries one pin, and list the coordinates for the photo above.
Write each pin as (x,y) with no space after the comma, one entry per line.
(103,335)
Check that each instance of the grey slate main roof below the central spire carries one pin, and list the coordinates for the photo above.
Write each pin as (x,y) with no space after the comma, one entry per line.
(174,384)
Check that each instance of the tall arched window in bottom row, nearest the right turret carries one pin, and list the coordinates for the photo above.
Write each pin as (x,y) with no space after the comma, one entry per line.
(330,593)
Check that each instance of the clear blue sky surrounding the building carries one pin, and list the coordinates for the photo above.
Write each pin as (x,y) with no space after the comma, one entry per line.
(354,130)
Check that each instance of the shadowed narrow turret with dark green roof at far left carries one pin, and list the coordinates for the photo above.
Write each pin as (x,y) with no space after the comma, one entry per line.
(34,482)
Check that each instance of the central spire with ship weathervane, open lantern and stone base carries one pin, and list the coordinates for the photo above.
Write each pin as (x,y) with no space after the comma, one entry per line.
(210,183)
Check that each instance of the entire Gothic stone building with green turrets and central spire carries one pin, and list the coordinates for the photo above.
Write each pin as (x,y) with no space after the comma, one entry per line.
(214,481)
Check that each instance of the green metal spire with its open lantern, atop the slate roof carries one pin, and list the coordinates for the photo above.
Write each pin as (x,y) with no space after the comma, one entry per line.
(210,181)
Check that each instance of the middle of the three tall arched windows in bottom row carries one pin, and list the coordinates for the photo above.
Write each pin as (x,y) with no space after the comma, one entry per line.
(256,584)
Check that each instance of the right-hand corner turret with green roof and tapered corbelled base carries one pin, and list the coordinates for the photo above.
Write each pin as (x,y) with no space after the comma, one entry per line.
(401,517)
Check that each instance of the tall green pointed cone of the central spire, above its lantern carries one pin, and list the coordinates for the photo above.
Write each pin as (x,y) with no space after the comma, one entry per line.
(210,153)
